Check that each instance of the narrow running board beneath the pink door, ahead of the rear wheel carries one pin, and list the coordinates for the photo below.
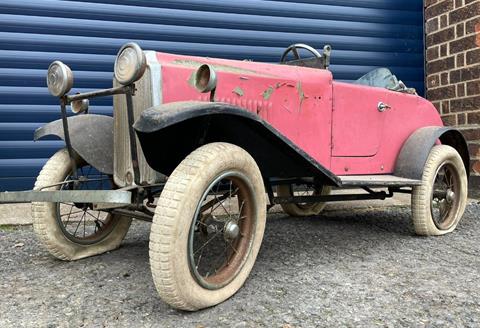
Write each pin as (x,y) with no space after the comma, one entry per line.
(376,181)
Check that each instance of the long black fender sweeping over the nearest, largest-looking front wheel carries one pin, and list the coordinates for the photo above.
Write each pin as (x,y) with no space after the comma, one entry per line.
(169,132)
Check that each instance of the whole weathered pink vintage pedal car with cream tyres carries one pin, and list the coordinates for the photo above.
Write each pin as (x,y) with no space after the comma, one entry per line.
(200,146)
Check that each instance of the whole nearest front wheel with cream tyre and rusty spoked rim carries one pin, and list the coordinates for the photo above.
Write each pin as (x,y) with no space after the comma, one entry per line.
(208,227)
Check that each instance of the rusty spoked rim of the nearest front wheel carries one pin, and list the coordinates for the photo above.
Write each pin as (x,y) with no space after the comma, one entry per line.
(222,230)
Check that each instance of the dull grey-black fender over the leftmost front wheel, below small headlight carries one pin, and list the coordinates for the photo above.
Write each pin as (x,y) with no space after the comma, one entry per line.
(91,137)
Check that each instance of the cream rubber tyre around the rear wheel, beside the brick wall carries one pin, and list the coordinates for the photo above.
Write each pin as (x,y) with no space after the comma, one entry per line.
(421,196)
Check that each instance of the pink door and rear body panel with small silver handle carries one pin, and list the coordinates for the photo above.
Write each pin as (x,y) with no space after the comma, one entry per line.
(367,141)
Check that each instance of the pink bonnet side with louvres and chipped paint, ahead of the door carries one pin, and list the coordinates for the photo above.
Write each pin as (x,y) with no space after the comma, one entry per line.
(295,101)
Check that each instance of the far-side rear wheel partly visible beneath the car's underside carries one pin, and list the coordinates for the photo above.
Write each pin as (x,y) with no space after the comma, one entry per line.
(301,210)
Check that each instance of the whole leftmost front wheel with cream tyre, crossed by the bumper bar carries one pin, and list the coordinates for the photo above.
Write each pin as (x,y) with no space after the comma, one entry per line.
(74,231)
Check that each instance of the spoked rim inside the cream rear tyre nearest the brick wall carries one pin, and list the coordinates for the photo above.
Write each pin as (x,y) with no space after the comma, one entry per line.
(445,198)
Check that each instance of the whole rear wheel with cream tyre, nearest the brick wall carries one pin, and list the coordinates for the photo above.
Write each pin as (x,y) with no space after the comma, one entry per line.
(439,202)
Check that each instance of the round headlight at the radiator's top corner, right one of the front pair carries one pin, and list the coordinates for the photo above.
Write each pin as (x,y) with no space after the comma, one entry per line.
(130,64)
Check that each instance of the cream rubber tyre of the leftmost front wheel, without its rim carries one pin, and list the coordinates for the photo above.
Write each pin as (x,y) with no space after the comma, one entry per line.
(46,226)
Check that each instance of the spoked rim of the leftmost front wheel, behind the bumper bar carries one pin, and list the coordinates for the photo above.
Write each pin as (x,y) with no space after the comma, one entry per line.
(78,221)
